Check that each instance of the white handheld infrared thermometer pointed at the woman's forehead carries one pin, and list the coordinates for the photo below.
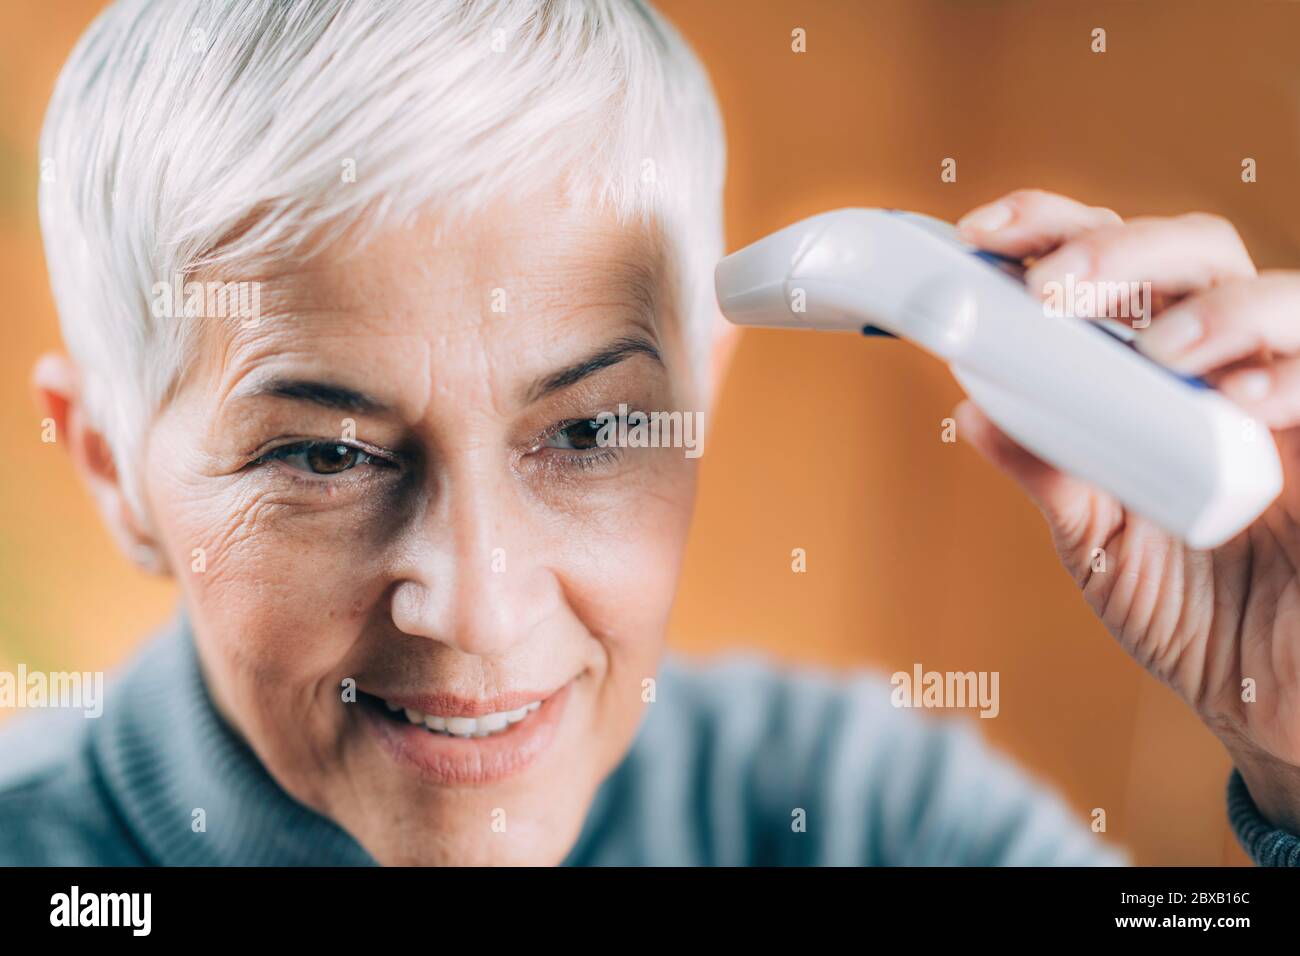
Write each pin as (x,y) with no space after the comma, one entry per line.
(1071,391)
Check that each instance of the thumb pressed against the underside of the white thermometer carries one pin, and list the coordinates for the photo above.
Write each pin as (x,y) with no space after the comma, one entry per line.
(1065,501)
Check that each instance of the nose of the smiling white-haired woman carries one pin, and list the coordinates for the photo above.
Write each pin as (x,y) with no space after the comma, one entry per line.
(476,578)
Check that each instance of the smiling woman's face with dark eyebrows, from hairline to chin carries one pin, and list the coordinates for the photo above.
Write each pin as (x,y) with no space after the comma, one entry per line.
(393,482)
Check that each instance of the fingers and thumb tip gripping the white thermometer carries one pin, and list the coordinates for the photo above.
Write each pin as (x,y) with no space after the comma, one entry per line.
(1230,321)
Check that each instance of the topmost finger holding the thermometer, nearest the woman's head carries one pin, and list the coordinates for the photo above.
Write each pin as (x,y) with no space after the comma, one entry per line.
(1030,223)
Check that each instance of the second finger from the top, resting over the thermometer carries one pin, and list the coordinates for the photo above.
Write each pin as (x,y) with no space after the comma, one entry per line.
(1176,256)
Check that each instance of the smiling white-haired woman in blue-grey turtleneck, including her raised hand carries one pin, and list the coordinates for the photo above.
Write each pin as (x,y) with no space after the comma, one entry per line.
(348,288)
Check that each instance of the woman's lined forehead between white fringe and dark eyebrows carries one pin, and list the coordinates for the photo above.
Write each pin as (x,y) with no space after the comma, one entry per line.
(527,280)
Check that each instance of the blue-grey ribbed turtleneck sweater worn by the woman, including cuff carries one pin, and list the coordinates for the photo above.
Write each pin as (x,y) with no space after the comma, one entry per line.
(722,765)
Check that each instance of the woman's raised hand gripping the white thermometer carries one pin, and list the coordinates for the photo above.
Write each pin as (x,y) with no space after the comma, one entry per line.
(1201,621)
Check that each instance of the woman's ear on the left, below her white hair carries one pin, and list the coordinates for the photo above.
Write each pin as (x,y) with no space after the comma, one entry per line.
(57,382)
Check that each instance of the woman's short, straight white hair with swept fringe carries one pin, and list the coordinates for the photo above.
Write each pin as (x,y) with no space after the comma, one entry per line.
(190,135)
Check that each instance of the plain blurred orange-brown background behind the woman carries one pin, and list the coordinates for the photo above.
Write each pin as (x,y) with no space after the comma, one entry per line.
(917,551)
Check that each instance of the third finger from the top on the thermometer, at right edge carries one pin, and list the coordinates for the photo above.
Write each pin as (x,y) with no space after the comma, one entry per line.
(1228,323)
